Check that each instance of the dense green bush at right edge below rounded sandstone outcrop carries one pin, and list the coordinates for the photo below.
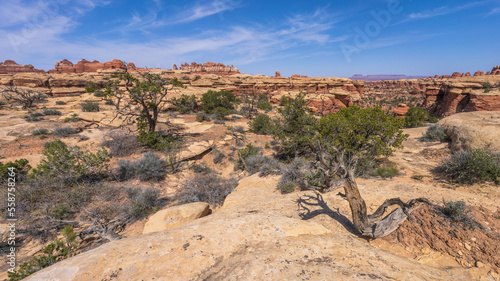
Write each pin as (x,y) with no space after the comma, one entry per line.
(472,166)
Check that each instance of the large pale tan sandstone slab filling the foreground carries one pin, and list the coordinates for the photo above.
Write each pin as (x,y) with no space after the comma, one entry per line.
(257,235)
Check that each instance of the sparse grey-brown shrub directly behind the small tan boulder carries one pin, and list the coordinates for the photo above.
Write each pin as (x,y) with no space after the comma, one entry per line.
(206,187)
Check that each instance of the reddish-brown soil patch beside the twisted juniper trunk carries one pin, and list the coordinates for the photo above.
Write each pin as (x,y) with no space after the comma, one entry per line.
(469,246)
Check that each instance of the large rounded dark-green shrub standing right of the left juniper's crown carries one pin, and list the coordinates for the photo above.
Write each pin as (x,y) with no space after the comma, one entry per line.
(219,103)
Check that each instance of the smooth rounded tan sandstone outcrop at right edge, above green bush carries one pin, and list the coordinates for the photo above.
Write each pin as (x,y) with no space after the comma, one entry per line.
(473,130)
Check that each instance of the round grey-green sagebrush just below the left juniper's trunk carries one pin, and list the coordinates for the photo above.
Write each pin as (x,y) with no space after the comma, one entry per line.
(150,167)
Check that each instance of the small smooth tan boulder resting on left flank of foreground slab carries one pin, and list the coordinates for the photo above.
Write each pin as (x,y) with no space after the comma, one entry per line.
(175,216)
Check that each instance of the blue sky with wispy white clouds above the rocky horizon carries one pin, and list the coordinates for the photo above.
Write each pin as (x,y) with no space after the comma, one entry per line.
(315,38)
